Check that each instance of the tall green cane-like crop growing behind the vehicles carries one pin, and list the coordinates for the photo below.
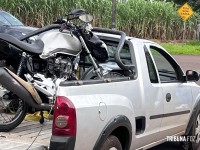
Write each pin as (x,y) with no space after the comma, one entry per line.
(139,18)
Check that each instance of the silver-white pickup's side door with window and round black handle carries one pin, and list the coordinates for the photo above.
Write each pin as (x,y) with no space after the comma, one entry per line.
(177,94)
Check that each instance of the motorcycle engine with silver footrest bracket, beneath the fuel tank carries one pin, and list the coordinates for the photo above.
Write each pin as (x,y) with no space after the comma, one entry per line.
(47,74)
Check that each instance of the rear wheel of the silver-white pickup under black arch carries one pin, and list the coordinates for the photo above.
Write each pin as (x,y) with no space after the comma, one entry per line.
(112,143)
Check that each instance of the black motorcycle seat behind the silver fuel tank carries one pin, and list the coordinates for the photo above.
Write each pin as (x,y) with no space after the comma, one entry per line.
(34,48)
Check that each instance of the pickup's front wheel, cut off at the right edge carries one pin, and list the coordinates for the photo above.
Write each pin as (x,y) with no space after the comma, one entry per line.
(194,135)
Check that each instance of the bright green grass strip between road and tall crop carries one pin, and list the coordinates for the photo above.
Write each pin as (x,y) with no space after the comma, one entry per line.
(188,48)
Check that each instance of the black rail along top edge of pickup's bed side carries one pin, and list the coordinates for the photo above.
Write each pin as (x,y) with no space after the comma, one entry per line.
(99,81)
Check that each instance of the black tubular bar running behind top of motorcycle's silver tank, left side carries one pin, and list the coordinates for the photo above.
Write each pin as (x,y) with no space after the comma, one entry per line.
(41,30)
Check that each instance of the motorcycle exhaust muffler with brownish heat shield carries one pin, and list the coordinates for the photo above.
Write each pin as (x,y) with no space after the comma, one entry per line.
(22,89)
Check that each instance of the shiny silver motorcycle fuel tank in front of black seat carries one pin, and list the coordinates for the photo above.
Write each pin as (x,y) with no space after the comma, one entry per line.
(59,42)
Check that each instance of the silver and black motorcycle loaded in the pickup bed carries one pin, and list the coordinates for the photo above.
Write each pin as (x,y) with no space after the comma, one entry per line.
(58,54)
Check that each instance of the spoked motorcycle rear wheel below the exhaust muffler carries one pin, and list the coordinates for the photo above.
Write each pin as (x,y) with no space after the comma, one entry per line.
(12,110)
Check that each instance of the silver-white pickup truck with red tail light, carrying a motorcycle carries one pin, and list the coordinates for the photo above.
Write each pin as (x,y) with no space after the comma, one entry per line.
(135,109)
